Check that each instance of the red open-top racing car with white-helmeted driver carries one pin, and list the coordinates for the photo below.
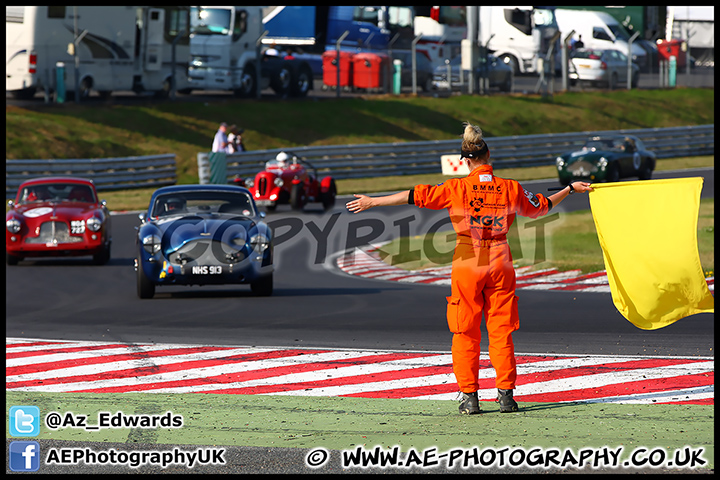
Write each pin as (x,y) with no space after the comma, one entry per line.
(289,179)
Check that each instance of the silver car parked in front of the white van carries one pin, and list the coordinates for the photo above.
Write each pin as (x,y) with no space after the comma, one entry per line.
(602,67)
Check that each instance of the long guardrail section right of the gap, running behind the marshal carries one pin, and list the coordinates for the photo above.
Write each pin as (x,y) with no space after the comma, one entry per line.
(389,159)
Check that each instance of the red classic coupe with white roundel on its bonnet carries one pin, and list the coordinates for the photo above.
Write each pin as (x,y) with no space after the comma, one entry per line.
(57,216)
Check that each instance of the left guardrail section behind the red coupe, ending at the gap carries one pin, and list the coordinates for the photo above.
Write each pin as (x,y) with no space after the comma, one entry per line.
(107,173)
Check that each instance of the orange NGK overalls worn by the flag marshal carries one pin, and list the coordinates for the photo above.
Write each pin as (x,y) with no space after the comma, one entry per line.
(482,207)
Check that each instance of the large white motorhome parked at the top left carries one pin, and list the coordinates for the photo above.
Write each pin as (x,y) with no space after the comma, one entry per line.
(120,48)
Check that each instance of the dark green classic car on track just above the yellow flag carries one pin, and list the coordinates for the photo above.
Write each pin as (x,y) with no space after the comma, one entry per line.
(607,159)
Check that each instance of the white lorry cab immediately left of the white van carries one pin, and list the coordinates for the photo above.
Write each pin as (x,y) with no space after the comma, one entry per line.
(517,35)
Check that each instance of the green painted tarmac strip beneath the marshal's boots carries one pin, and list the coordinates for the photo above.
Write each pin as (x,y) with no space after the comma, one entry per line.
(343,423)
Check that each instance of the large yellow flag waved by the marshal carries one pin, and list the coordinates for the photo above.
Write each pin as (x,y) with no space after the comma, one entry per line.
(648,234)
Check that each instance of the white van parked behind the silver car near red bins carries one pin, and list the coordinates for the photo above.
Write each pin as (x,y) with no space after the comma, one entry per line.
(599,30)
